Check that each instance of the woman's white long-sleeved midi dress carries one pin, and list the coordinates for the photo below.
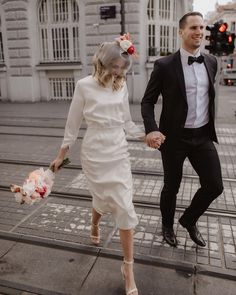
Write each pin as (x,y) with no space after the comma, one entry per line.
(104,151)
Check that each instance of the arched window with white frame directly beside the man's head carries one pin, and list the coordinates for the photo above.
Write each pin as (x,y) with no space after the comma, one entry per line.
(162,27)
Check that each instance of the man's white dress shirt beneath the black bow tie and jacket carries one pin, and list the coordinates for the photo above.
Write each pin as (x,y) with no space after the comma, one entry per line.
(197,85)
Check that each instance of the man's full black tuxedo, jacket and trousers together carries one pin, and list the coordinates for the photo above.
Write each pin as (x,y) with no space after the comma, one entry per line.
(167,79)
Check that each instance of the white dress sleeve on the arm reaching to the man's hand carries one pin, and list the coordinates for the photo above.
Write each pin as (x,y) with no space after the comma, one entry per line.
(131,128)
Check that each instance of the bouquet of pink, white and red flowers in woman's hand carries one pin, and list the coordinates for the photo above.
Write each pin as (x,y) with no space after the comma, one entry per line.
(37,185)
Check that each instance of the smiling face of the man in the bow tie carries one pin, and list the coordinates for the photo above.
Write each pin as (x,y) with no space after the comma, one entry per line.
(192,33)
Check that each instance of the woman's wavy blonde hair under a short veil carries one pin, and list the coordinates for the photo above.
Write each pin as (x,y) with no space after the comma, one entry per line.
(102,60)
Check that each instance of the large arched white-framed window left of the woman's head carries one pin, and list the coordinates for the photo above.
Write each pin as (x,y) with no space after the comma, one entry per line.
(59,30)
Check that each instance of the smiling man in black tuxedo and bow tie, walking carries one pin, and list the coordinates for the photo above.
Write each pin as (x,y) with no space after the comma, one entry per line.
(186,129)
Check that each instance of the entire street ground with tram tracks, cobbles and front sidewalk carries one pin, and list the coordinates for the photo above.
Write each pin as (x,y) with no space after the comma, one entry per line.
(45,248)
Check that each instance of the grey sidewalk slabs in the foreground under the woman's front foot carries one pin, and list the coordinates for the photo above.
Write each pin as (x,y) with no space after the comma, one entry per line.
(43,270)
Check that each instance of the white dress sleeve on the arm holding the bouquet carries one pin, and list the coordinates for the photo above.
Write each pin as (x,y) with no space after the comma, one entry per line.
(75,118)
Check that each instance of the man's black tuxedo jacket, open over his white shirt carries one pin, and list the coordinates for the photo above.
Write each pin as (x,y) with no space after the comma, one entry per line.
(167,79)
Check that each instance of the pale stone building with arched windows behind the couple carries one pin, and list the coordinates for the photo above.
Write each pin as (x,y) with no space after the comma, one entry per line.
(47,45)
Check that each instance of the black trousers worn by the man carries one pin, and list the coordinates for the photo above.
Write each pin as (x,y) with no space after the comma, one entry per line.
(195,145)
